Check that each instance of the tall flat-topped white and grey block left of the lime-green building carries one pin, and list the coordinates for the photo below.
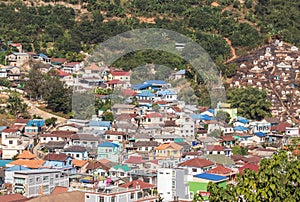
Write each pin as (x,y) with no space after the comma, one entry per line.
(172,182)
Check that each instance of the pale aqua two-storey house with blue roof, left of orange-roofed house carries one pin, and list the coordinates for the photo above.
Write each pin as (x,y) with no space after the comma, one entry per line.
(109,150)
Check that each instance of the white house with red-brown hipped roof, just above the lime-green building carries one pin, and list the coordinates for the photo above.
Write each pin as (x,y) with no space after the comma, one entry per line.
(197,165)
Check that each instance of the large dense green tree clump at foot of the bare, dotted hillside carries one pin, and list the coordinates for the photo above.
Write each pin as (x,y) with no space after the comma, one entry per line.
(251,103)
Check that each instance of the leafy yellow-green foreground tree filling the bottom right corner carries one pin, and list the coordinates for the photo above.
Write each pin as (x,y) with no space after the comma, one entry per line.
(277,180)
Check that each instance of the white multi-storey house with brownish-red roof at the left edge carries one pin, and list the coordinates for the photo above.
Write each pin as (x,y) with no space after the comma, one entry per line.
(13,143)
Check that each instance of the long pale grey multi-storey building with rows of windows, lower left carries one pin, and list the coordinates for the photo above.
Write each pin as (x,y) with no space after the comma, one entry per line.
(32,183)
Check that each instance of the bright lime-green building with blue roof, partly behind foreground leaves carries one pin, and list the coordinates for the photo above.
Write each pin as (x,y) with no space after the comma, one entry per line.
(200,182)
